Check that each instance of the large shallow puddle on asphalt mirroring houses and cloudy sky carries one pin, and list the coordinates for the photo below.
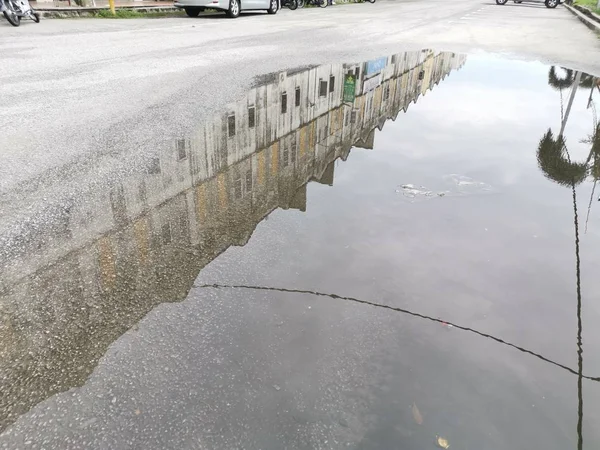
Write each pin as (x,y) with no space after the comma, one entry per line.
(317,151)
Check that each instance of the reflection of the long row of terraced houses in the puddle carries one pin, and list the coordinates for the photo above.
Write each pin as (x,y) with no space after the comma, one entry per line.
(77,282)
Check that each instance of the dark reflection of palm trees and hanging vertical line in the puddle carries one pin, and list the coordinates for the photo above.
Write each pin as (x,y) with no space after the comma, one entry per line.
(555,161)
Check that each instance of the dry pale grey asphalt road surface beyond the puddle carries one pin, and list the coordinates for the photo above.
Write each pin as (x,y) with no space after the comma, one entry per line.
(85,87)
